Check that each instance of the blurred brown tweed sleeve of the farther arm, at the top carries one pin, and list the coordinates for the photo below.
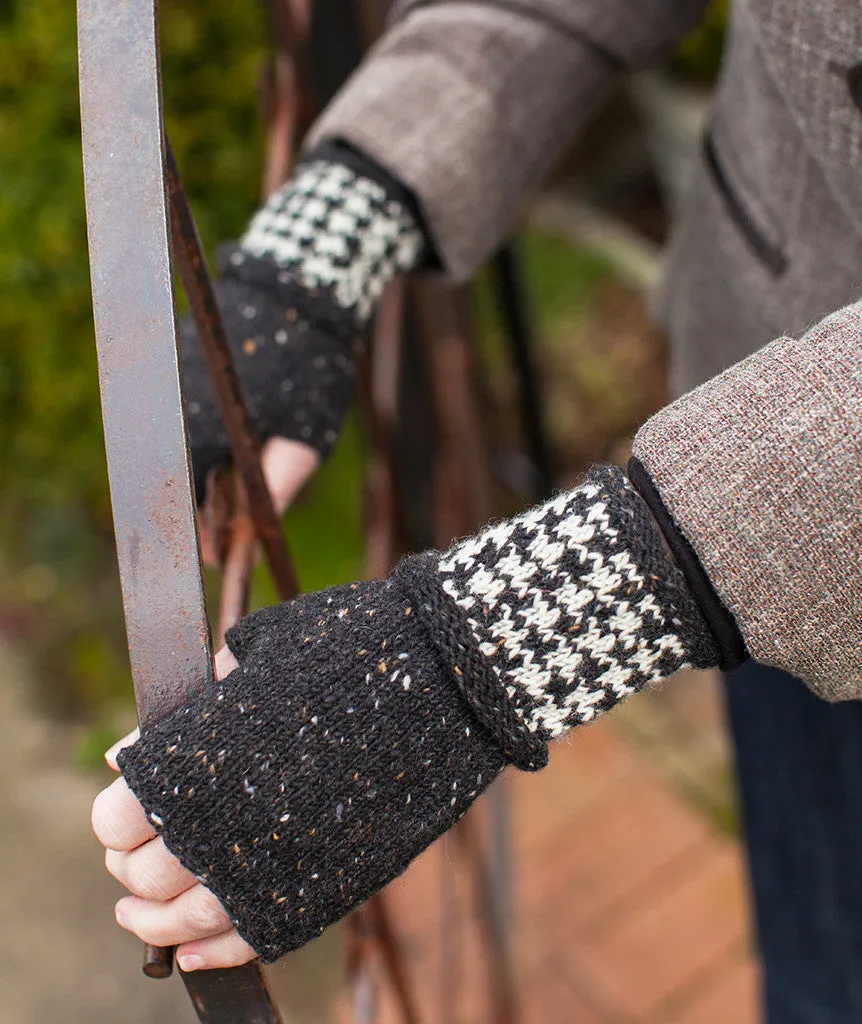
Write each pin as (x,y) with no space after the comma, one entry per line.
(470,103)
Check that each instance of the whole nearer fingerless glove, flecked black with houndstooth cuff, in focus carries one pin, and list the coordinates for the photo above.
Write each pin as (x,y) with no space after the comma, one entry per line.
(365,720)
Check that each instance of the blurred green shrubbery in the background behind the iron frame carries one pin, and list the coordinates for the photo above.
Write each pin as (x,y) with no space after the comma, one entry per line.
(59,589)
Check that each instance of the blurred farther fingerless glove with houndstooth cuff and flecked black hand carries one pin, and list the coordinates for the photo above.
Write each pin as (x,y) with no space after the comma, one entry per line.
(295,295)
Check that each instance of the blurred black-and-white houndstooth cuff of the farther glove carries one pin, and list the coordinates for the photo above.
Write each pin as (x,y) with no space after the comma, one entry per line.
(332,229)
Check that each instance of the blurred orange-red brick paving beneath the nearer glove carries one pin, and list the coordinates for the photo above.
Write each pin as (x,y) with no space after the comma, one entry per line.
(631,907)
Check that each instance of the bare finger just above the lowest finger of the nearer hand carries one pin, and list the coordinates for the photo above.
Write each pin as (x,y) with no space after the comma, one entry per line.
(194,915)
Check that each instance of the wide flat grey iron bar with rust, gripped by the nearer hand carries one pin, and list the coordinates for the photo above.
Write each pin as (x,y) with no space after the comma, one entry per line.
(149,468)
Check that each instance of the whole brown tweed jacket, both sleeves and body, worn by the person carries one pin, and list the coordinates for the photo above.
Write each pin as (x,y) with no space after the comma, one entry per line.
(471,102)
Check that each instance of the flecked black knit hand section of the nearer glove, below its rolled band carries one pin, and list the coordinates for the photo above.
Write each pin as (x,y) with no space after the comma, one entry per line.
(336,754)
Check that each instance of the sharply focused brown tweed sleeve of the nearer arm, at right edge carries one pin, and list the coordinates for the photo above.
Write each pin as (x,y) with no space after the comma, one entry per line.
(761,468)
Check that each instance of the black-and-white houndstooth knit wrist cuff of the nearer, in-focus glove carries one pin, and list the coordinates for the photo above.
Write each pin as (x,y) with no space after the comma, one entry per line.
(577,605)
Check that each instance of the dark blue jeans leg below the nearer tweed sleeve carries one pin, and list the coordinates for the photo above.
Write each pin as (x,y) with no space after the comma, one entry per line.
(800,765)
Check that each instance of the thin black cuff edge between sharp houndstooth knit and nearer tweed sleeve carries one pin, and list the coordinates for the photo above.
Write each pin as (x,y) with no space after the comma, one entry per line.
(721,622)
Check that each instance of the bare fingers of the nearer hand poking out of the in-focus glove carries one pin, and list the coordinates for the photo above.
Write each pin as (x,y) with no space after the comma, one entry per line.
(168,906)
